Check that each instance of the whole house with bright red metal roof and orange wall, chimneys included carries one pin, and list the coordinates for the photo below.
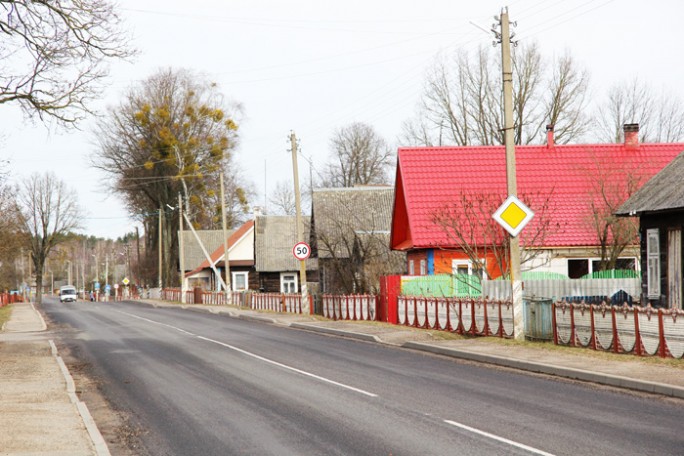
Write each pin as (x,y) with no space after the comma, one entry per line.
(445,197)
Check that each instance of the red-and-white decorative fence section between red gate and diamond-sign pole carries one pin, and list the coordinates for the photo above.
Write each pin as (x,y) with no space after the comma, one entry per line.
(464,316)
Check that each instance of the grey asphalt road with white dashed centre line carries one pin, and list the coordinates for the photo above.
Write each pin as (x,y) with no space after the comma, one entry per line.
(202,384)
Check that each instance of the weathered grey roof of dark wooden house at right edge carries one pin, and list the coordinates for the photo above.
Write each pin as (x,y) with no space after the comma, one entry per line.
(663,192)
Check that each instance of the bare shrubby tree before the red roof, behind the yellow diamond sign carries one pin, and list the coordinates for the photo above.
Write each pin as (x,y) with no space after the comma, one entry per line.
(468,226)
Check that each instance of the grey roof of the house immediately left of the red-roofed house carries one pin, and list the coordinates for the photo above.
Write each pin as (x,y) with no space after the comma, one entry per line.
(339,212)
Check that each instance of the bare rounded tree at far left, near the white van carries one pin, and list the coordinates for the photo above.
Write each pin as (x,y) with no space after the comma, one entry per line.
(49,212)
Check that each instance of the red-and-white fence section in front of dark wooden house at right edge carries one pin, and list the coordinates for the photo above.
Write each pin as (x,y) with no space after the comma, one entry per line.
(638,330)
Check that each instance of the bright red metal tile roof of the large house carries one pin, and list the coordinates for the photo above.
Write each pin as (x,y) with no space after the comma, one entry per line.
(430,178)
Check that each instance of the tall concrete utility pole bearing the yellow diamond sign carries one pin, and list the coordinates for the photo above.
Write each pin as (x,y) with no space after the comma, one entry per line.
(509,141)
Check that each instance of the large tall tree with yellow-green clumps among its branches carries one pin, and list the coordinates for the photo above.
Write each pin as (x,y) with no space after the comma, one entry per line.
(174,134)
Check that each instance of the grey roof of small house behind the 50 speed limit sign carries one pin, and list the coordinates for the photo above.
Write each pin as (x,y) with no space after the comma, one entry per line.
(274,238)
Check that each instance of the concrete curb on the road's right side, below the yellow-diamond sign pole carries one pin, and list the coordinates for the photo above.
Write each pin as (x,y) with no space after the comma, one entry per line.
(558,371)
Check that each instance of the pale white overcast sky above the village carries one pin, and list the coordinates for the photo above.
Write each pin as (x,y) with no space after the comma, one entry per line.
(312,67)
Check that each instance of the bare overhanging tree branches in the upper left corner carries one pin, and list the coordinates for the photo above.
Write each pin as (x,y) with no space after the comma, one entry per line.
(53,55)
